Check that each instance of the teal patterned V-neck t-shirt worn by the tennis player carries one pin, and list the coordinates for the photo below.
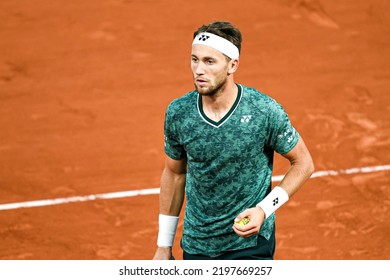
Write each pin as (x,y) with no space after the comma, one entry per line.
(229,165)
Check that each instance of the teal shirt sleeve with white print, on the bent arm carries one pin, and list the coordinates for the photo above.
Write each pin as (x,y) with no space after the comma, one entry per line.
(282,135)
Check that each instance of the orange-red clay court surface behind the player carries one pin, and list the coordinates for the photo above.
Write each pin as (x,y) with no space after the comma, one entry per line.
(83,90)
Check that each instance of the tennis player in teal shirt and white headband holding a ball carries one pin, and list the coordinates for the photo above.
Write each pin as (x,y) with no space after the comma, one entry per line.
(220,141)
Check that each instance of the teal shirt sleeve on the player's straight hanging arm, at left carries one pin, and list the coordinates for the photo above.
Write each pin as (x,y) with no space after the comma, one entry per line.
(172,146)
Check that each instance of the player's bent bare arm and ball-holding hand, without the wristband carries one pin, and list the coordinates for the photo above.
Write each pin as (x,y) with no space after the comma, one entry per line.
(301,168)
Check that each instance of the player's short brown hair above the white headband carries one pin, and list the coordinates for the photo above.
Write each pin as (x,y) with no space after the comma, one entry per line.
(223,29)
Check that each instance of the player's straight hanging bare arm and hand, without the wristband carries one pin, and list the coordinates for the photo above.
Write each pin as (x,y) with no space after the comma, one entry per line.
(172,189)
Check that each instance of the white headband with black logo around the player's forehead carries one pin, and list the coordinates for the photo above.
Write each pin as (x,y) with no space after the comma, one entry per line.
(216,42)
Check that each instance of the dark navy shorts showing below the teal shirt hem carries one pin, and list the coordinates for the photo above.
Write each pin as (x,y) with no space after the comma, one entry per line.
(264,250)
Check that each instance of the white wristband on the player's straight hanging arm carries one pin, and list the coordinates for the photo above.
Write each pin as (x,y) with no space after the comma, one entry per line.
(167,230)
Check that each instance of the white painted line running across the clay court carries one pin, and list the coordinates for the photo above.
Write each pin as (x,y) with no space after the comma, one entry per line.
(55,201)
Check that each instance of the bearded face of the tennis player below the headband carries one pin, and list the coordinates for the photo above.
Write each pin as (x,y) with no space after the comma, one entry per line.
(209,68)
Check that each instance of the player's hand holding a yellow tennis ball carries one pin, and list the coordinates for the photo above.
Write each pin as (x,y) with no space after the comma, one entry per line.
(256,216)
